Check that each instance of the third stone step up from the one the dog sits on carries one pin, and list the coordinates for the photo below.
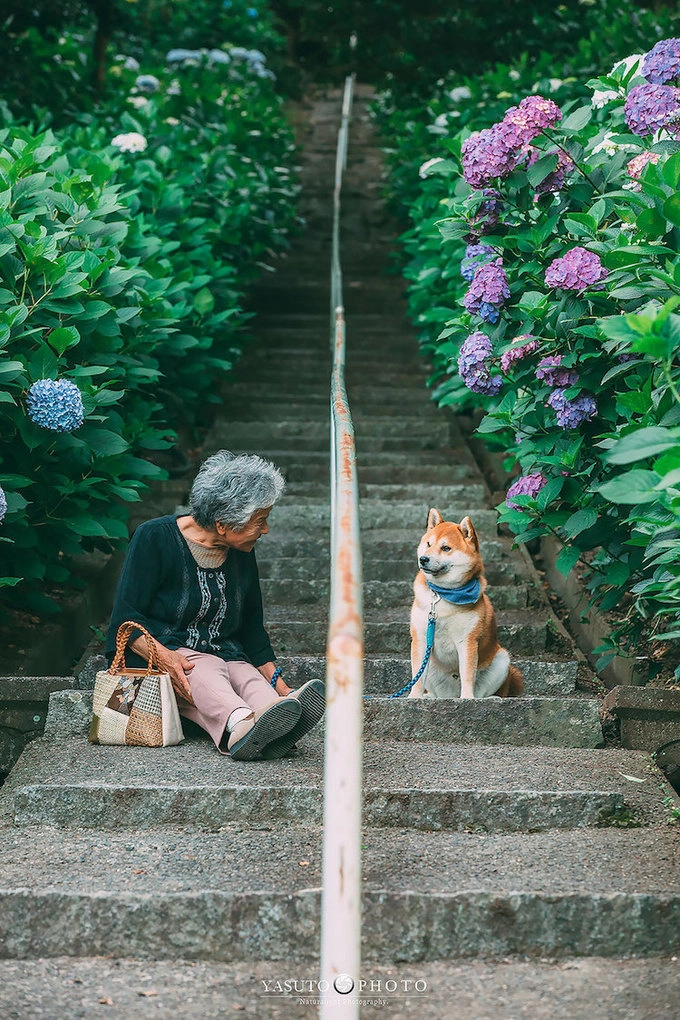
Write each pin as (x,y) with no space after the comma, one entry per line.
(378,594)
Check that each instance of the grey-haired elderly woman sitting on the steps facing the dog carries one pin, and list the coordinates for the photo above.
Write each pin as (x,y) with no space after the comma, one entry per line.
(192,581)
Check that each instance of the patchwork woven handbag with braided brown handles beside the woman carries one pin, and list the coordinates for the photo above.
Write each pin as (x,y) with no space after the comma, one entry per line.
(135,706)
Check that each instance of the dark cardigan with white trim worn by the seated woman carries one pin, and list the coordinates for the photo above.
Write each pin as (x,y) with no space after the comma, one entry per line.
(215,609)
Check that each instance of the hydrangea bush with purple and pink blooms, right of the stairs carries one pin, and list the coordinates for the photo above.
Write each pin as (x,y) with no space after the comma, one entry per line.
(573,352)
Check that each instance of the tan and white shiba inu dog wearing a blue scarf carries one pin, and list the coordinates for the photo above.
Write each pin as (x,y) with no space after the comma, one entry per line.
(466,660)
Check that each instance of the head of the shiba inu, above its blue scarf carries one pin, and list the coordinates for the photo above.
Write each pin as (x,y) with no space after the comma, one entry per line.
(449,553)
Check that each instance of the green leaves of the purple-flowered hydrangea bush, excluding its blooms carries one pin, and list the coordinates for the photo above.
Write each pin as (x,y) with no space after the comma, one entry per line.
(609,487)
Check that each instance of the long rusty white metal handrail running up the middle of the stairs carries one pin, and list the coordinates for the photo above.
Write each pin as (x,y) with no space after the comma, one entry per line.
(341,904)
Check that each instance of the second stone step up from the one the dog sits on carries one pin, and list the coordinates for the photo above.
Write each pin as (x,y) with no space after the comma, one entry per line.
(387,633)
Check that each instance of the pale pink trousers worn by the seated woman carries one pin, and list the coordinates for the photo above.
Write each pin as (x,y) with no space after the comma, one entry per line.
(219,688)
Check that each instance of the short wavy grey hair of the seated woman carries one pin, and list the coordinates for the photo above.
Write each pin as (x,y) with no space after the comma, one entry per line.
(230,488)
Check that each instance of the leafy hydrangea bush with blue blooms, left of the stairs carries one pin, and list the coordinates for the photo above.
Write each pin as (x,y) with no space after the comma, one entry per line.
(127,243)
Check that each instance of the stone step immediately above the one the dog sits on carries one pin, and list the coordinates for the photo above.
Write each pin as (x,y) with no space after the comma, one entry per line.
(386,675)
